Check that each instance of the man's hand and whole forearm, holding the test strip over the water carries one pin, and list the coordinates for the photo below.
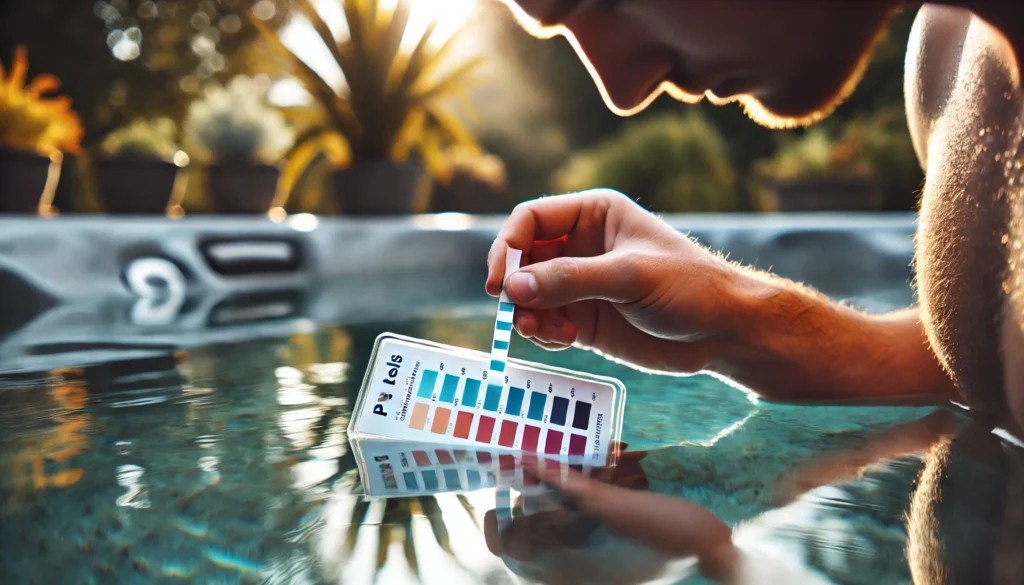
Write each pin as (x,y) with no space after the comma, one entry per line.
(603,273)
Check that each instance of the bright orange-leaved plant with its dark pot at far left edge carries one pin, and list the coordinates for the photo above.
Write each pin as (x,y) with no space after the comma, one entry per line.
(35,132)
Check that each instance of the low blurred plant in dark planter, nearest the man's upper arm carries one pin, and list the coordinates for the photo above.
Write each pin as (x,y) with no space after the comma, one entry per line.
(817,173)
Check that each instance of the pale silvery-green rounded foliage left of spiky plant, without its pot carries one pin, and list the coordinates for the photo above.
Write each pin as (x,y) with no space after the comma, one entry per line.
(235,124)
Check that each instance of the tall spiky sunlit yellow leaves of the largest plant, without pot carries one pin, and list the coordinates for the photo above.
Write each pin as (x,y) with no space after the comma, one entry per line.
(394,107)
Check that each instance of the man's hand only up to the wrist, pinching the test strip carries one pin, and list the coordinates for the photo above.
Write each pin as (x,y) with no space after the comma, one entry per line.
(606,274)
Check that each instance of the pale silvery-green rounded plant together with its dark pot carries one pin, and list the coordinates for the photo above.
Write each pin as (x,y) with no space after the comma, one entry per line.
(240,138)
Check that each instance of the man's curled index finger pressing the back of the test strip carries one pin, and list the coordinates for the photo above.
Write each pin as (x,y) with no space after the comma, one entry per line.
(543,220)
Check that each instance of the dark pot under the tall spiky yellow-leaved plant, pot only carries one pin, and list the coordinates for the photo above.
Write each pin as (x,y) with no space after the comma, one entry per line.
(377,188)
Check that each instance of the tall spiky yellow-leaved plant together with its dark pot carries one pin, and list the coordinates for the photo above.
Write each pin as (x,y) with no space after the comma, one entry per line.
(392,115)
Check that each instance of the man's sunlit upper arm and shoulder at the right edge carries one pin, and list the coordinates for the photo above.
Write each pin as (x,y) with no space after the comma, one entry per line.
(965,111)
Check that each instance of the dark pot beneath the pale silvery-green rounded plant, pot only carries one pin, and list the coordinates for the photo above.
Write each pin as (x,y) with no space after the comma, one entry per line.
(242,188)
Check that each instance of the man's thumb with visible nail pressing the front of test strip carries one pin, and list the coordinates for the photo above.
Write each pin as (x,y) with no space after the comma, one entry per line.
(567,280)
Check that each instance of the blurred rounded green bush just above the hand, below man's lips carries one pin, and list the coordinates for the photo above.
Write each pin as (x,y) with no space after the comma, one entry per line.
(671,163)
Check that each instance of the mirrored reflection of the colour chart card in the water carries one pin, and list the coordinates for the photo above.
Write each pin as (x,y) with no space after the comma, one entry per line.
(396,469)
